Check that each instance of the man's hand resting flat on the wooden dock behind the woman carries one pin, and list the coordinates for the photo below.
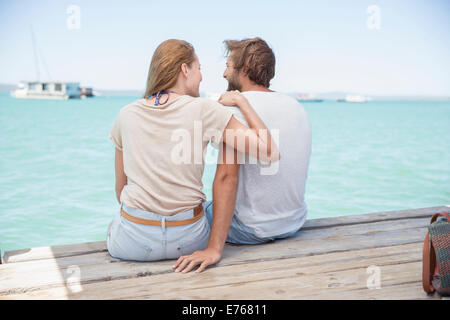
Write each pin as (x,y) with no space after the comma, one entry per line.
(203,258)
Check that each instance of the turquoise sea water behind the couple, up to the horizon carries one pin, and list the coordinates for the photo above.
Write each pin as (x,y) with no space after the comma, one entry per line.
(57,164)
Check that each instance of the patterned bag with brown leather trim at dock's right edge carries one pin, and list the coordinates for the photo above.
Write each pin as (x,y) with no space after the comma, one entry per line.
(436,268)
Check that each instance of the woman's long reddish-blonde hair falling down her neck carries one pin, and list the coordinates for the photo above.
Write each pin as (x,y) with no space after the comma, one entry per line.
(166,64)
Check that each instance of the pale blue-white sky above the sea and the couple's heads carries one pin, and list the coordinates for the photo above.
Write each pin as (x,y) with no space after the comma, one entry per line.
(320,46)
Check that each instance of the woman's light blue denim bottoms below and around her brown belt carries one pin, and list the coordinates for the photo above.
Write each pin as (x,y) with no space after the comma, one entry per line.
(128,240)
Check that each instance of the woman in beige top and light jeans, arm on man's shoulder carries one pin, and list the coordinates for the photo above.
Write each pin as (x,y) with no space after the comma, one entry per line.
(160,143)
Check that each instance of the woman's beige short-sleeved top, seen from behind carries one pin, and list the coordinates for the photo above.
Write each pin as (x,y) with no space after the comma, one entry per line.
(163,151)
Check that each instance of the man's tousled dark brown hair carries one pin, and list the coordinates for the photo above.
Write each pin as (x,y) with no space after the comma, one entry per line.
(253,57)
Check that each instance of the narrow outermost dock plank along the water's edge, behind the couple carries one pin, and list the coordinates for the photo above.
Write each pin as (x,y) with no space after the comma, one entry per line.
(90,247)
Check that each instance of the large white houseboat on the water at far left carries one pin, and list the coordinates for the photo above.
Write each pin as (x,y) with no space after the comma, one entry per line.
(47,90)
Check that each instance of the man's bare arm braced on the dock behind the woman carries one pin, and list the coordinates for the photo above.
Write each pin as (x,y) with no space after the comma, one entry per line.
(224,197)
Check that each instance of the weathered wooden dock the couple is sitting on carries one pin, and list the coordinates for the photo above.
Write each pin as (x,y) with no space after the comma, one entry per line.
(332,258)
